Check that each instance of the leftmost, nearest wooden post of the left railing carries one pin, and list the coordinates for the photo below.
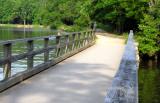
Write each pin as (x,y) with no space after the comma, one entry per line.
(7,66)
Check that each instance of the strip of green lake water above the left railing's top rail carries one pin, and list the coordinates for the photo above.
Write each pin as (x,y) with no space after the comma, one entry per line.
(17,33)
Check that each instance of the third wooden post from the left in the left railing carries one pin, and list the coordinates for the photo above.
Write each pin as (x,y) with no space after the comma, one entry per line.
(46,53)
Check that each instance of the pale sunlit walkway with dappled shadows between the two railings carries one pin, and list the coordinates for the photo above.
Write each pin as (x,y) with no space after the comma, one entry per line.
(83,78)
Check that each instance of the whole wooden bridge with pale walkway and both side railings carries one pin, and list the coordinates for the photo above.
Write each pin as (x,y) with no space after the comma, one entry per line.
(82,70)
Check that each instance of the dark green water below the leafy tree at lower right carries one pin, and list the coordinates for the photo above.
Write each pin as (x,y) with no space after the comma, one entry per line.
(149,82)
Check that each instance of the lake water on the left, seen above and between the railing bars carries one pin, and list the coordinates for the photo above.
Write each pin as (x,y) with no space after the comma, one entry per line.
(19,33)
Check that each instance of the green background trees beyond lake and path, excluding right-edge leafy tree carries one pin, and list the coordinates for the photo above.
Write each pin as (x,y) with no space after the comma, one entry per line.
(113,13)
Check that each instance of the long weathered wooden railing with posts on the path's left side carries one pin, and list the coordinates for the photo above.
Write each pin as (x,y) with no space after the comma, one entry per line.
(63,46)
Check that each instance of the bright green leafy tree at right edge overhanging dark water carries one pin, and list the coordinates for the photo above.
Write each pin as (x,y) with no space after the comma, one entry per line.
(148,37)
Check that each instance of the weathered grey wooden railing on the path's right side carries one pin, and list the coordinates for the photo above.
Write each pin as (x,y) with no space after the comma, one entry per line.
(124,87)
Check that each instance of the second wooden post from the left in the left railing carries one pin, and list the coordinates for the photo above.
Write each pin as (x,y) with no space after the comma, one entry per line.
(30,47)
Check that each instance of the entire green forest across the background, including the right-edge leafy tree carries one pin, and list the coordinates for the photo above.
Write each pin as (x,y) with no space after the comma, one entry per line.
(143,16)
